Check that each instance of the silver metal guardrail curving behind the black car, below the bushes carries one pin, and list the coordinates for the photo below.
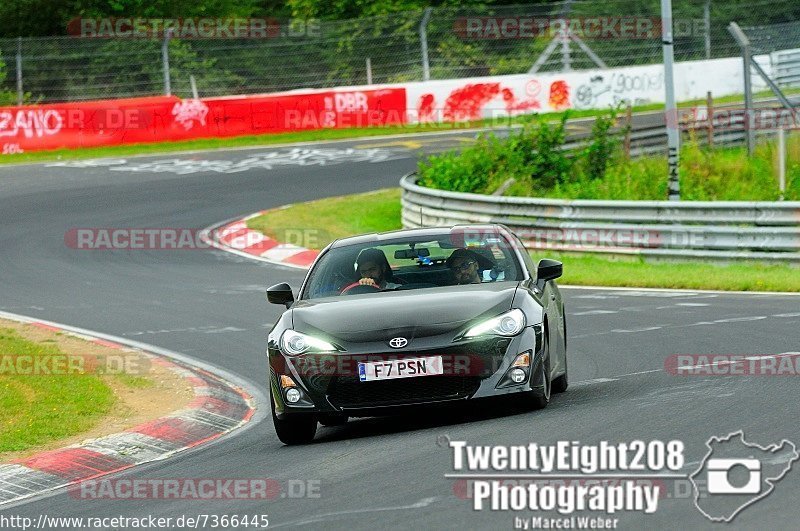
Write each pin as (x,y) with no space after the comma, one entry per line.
(723,231)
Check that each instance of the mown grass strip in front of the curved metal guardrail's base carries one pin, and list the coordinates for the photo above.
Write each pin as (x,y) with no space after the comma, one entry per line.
(337,217)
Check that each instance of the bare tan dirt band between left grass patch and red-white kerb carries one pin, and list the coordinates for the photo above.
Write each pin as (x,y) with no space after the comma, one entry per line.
(143,390)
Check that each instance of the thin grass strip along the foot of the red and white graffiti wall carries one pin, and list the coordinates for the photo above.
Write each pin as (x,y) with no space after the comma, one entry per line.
(308,136)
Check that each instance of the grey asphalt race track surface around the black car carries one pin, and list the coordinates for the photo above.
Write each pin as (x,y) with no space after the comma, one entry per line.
(374,473)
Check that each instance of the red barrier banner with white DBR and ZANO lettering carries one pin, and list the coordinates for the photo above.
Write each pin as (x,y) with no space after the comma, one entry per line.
(159,119)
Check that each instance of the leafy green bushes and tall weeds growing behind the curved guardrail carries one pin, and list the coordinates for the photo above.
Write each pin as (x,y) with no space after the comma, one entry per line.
(534,158)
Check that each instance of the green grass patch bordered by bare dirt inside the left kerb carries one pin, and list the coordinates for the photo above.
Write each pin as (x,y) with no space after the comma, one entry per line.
(37,409)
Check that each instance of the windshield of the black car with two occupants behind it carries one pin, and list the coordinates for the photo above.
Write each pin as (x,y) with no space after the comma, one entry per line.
(411,263)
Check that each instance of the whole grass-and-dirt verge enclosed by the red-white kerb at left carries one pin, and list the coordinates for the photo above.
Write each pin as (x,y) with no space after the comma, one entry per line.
(57,390)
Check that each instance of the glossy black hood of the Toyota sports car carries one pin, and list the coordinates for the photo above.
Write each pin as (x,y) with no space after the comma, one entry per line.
(413,313)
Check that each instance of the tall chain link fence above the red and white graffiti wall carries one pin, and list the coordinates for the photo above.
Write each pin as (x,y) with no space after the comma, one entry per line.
(441,43)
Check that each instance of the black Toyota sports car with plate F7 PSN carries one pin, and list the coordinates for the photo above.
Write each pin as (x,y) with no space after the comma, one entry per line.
(415,317)
